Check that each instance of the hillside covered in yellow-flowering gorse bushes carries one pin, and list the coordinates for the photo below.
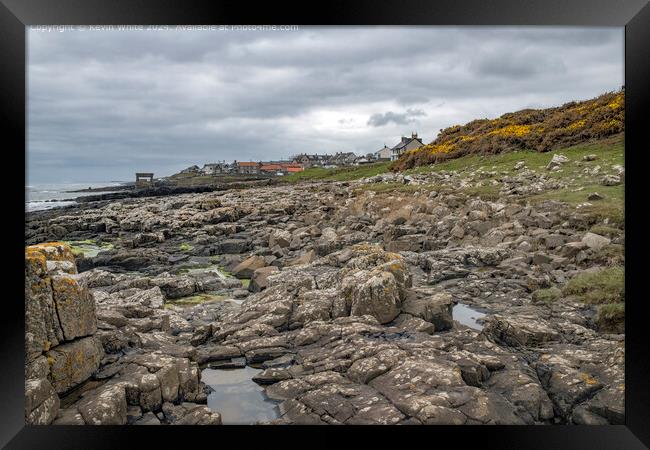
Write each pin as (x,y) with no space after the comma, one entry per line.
(540,130)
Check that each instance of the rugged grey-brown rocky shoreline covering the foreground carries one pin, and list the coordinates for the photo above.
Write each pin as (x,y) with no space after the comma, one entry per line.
(342,296)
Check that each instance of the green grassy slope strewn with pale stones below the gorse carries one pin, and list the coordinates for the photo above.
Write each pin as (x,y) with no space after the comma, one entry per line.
(609,152)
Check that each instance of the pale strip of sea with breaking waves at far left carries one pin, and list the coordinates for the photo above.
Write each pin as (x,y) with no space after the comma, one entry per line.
(39,197)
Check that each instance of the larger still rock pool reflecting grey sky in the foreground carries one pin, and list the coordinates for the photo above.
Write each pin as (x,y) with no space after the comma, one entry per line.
(238,399)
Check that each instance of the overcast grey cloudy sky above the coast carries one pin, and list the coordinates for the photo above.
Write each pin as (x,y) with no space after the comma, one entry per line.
(105,104)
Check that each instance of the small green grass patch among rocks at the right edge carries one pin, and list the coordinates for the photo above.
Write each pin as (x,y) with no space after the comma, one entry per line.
(605,286)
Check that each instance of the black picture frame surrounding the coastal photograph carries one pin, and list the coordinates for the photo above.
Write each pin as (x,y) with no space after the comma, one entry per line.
(15,15)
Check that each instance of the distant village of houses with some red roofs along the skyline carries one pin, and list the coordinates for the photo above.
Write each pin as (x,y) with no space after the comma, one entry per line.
(303,161)
